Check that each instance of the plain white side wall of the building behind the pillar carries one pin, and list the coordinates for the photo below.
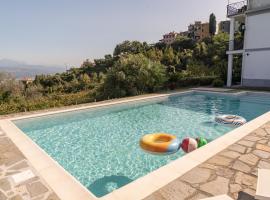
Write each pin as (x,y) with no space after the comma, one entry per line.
(256,69)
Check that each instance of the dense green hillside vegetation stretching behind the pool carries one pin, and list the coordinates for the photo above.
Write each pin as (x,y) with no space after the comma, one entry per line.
(134,68)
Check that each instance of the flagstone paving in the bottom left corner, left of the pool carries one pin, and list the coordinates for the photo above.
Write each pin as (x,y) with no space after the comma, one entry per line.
(12,162)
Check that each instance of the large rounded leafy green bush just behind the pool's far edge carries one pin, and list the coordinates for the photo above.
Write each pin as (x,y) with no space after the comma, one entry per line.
(133,74)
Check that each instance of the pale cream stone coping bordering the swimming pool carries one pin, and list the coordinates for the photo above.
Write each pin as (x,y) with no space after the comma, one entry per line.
(68,188)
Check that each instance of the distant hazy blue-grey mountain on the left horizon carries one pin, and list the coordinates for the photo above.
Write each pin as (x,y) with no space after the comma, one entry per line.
(22,69)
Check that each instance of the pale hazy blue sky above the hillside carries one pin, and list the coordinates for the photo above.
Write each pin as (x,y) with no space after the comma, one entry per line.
(59,32)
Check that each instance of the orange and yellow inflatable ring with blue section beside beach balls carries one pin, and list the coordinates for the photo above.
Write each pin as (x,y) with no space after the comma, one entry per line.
(160,143)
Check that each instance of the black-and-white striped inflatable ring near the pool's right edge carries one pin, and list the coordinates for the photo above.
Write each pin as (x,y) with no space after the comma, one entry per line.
(234,120)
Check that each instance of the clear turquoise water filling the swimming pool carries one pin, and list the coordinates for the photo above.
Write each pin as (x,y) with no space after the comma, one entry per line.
(101,147)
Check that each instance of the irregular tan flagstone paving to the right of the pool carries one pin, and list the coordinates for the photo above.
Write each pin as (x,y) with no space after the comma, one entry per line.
(232,171)
